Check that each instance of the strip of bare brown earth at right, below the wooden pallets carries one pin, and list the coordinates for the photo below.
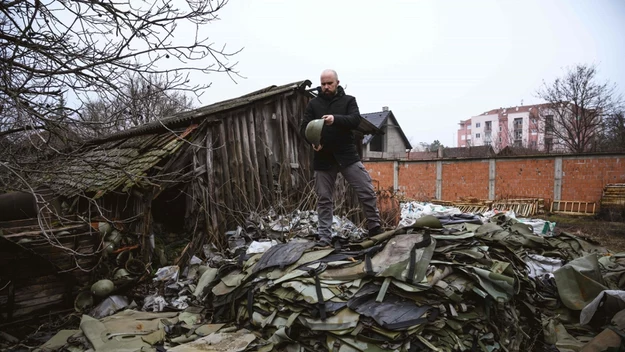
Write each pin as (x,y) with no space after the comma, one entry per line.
(610,235)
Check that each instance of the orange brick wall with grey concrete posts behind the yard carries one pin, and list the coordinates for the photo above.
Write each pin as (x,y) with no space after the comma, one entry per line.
(582,177)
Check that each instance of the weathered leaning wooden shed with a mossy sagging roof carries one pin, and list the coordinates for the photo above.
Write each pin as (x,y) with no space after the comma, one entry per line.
(206,167)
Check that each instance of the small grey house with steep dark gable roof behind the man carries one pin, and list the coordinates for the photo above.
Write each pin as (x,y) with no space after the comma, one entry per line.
(392,143)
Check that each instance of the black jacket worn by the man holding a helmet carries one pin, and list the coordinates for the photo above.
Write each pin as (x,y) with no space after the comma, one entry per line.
(338,140)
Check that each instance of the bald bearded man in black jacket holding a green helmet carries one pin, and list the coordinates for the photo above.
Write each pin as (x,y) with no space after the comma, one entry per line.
(337,153)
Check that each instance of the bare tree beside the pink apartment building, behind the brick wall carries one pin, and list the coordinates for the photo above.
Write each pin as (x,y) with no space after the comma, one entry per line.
(576,107)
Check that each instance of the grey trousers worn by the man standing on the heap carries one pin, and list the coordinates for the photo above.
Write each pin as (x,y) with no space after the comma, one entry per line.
(358,178)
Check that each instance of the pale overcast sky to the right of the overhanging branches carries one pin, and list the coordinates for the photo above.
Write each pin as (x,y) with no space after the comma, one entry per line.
(433,63)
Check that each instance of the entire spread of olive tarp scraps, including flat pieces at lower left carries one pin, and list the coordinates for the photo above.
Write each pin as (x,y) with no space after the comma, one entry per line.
(437,285)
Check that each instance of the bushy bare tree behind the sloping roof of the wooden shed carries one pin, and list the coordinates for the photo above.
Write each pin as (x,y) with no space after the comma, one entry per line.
(146,99)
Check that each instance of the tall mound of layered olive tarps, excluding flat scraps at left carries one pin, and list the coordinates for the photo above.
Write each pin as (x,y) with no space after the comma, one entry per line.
(464,286)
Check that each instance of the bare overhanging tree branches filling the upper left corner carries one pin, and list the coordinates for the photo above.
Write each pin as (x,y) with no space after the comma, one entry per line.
(72,49)
